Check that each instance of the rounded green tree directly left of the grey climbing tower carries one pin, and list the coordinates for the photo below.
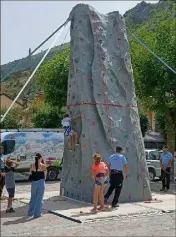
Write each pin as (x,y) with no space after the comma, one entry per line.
(53,78)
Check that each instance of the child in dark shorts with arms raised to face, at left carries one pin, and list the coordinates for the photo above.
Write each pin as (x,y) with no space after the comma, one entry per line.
(10,183)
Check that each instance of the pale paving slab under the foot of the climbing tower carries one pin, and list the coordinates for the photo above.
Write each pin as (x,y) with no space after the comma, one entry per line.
(80,212)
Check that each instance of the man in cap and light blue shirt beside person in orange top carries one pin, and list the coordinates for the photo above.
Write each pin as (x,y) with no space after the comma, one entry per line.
(116,163)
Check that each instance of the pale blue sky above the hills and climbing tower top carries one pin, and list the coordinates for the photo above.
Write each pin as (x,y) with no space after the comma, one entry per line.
(25,24)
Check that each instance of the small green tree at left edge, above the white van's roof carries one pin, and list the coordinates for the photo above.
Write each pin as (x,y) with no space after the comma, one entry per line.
(12,120)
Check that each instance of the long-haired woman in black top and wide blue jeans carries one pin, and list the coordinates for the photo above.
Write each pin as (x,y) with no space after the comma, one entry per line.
(37,172)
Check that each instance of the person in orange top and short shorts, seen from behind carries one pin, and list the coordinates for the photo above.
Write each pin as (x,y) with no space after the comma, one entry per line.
(100,173)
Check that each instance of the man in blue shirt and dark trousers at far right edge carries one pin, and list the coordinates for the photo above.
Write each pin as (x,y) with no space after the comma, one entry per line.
(165,163)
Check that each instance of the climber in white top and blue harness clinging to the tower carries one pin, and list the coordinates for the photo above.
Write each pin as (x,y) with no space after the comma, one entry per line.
(66,123)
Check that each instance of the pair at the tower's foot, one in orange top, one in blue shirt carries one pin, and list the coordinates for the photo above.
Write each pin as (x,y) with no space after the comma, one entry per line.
(112,170)
